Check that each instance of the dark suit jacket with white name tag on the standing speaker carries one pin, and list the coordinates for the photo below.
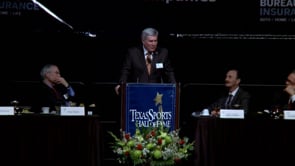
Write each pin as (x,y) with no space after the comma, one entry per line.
(134,67)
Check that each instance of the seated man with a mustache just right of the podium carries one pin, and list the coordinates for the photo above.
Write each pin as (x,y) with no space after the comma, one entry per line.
(234,98)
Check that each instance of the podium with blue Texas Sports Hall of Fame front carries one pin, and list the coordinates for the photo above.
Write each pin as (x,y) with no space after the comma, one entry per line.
(149,105)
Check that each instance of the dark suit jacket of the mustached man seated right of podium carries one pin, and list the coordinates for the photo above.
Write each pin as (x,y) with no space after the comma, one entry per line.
(240,101)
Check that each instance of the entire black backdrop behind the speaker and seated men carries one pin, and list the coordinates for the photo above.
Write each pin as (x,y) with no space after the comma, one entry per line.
(204,38)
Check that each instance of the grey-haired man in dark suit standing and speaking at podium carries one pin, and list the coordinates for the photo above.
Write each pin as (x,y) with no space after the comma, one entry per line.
(147,63)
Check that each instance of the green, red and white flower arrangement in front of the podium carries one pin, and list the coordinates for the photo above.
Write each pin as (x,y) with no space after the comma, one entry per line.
(154,146)
